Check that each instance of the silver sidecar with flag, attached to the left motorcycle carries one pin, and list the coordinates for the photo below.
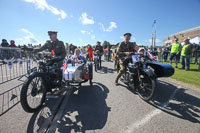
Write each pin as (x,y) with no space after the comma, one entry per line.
(77,73)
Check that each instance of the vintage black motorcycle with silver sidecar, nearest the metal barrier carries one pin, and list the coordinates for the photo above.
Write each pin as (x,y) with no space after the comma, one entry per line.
(47,77)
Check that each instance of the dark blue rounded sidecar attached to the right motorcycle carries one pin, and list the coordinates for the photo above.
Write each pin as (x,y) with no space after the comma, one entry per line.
(162,69)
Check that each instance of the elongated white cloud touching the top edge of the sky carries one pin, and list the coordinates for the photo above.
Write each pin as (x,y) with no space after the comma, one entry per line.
(42,5)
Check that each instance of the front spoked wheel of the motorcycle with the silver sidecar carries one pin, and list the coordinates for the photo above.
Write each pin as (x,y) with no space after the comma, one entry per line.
(33,93)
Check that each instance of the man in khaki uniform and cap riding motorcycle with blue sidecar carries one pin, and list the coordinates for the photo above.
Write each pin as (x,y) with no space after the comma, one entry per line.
(124,49)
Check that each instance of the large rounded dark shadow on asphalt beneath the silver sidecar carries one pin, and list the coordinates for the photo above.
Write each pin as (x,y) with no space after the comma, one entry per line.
(86,110)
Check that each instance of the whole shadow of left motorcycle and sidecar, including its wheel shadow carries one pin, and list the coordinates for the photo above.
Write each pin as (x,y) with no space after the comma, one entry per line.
(85,110)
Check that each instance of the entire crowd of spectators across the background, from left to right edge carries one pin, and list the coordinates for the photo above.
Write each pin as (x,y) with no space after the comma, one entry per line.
(185,53)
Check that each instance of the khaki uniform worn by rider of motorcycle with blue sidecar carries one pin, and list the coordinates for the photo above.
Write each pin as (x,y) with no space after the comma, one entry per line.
(122,48)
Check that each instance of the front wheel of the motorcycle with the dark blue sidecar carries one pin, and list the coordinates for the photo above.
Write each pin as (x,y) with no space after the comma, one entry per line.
(146,88)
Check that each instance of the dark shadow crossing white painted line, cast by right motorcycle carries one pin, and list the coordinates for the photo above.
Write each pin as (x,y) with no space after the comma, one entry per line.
(185,105)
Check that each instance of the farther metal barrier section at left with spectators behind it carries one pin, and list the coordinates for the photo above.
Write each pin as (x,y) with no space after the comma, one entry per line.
(15,63)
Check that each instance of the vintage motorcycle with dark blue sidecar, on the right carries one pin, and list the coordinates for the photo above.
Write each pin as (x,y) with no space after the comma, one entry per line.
(141,74)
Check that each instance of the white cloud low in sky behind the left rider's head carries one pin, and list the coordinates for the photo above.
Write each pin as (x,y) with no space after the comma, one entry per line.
(29,38)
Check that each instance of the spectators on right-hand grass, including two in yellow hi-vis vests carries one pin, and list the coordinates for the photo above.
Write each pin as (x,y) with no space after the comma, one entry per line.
(185,53)
